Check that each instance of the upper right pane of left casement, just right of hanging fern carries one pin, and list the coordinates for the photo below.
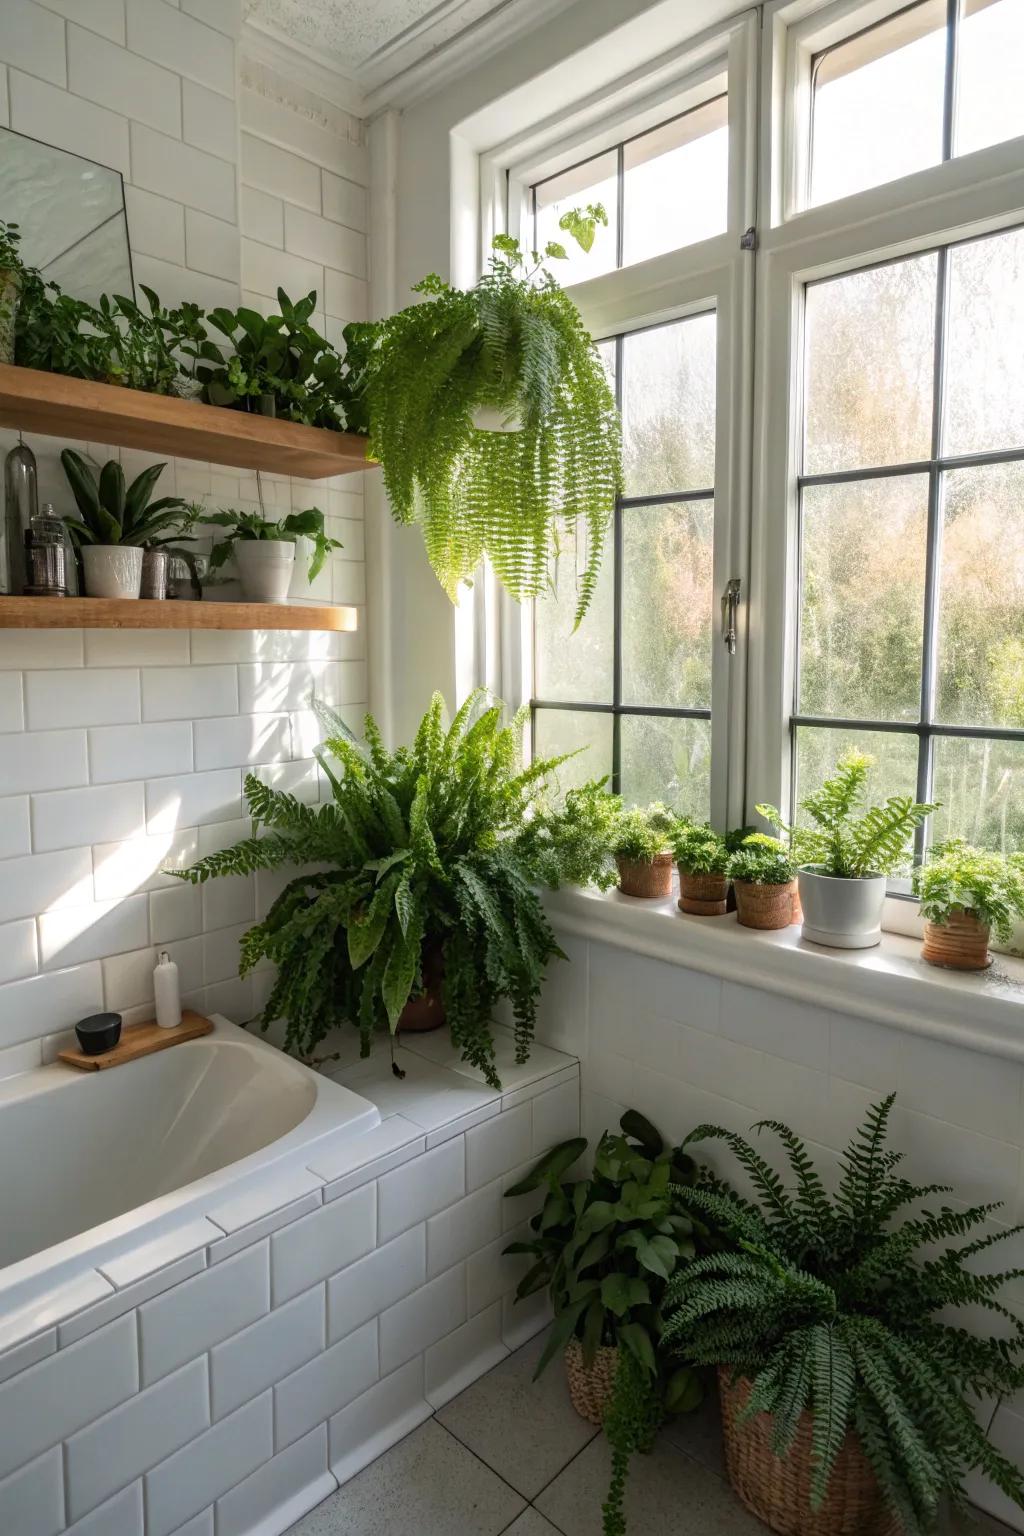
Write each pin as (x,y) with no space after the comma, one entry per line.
(669,408)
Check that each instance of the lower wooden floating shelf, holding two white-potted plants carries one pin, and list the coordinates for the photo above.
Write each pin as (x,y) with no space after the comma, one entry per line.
(142,614)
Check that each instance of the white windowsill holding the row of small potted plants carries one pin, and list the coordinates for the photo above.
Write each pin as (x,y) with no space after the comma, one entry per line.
(890,984)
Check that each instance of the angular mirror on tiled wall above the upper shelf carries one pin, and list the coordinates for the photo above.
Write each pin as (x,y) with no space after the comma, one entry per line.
(71,214)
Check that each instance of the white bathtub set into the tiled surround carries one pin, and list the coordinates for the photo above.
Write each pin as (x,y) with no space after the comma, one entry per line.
(102,1164)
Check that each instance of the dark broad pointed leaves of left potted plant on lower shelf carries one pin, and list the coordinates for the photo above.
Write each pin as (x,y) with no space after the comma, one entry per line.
(119,514)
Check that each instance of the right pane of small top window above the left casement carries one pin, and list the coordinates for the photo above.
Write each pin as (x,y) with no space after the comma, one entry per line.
(678,184)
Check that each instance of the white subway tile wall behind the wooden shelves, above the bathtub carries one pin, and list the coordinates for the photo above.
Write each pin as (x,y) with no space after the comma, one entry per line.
(119,749)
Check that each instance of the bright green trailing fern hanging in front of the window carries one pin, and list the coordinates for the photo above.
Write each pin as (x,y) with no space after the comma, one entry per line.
(515,346)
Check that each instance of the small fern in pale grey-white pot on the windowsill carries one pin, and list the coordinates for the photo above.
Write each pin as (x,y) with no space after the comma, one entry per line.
(847,855)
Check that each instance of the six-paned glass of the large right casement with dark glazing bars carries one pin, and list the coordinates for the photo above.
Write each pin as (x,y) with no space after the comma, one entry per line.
(911,534)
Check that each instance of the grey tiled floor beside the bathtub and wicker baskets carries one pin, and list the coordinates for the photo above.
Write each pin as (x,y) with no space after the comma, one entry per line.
(512,1458)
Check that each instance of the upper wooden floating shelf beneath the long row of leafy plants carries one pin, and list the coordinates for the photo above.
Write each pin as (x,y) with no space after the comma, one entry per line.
(82,411)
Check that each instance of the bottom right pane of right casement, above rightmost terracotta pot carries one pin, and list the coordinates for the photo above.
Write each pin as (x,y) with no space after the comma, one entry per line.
(982,792)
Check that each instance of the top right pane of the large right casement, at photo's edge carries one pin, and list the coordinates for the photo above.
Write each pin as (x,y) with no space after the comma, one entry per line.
(985,372)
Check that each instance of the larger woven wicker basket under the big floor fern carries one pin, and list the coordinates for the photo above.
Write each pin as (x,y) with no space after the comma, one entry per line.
(779,1492)
